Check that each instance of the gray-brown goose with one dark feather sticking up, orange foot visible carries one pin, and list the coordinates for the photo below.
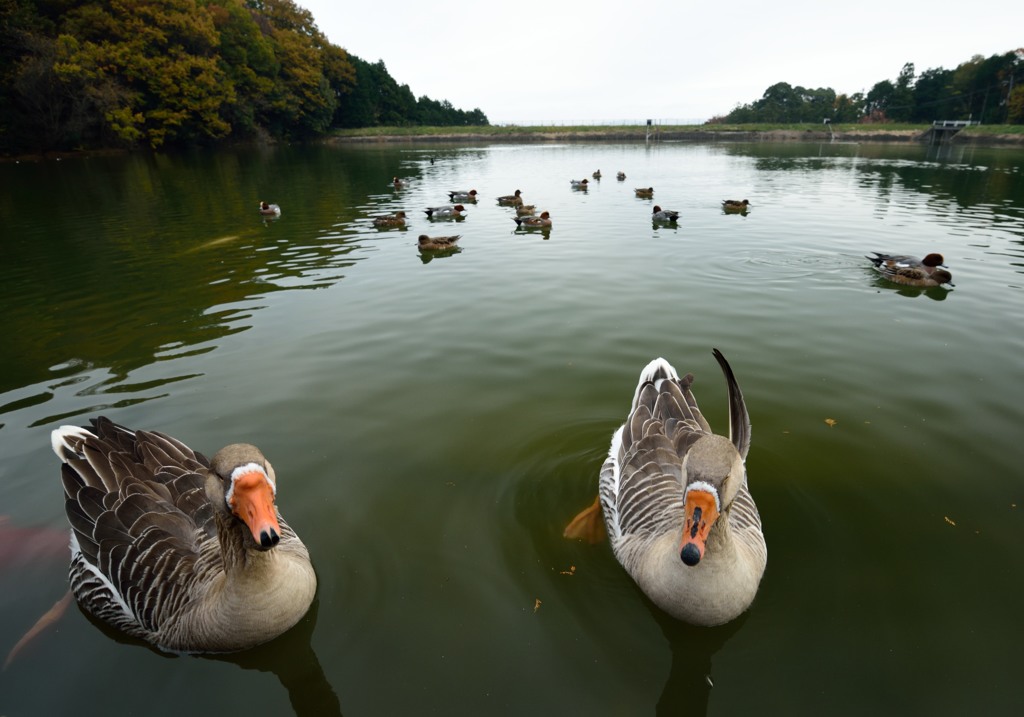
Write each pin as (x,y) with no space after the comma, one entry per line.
(676,504)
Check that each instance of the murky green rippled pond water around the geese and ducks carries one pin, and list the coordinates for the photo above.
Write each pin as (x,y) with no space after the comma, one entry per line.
(436,423)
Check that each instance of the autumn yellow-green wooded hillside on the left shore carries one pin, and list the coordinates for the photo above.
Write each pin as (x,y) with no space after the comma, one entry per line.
(169,73)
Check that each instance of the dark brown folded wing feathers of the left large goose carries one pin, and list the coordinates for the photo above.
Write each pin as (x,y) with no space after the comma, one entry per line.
(140,520)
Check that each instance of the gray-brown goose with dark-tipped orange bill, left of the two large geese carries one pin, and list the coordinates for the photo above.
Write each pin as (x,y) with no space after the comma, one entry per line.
(187,554)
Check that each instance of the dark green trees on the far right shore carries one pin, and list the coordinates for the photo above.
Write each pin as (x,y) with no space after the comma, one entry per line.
(990,91)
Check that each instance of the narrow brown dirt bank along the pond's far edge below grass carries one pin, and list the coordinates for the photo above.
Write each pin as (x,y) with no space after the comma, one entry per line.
(816,136)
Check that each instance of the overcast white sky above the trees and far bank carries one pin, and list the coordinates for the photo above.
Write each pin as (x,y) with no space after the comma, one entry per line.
(563,62)
